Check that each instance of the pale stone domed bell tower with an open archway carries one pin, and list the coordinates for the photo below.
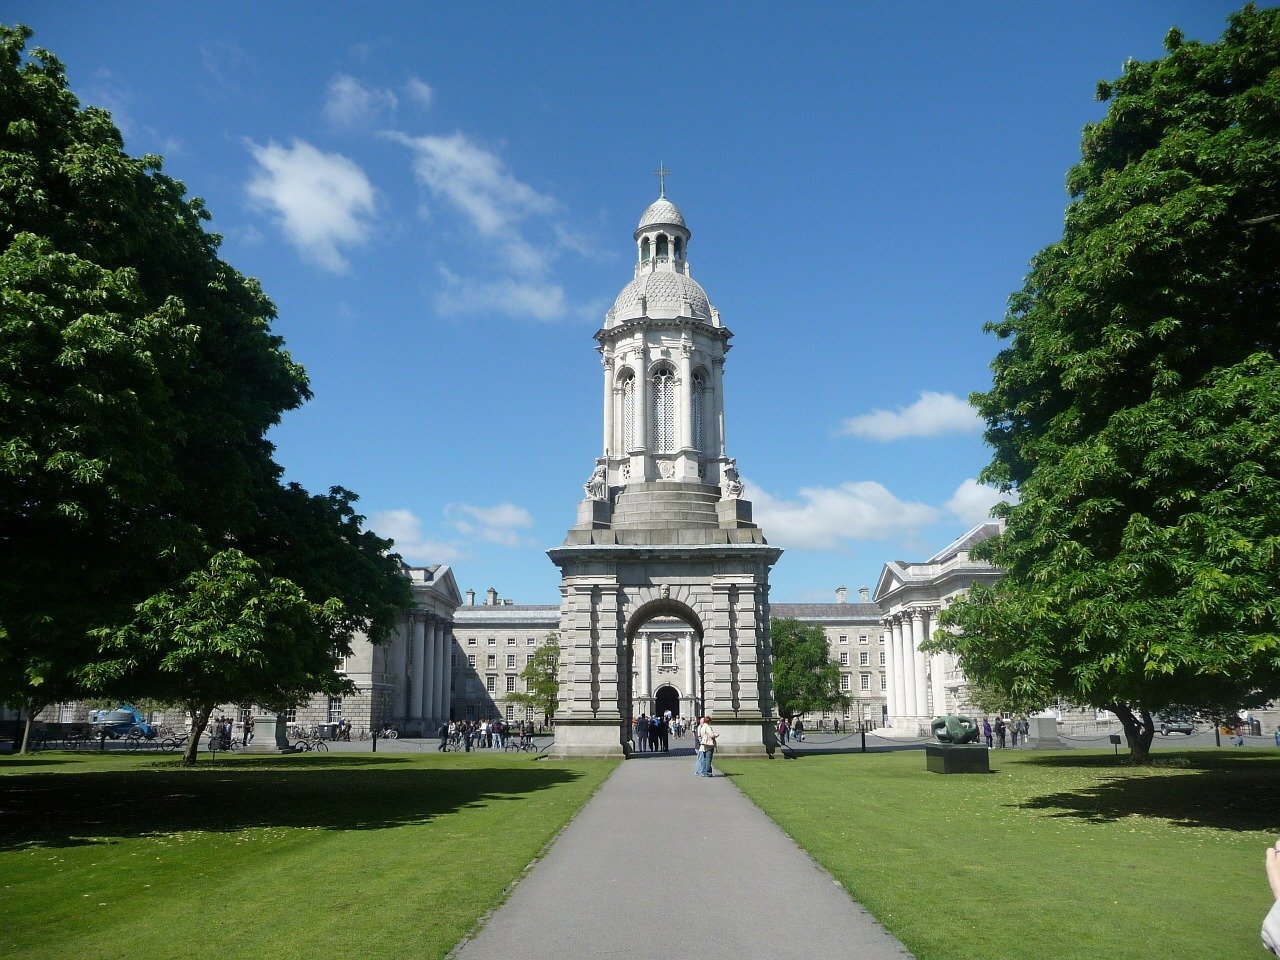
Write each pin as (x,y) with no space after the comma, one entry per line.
(664,531)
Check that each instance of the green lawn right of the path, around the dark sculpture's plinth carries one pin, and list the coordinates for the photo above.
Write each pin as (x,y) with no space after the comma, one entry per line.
(1053,857)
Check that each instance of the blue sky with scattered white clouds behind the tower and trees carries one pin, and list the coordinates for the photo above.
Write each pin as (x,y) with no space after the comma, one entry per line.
(441,200)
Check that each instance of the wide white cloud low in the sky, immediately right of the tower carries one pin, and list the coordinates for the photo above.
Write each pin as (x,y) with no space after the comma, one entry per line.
(824,518)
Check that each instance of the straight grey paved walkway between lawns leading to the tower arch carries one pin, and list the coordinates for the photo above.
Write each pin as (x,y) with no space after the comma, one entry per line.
(664,865)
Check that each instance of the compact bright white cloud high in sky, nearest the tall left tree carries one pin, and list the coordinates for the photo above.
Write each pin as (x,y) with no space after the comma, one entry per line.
(322,202)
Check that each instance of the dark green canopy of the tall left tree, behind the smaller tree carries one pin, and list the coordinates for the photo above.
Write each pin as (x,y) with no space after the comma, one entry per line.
(139,376)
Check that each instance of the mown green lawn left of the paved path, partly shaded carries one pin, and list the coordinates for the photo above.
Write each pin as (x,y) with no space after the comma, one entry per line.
(323,856)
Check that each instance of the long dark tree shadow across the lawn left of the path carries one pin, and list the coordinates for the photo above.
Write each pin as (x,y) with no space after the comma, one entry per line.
(60,810)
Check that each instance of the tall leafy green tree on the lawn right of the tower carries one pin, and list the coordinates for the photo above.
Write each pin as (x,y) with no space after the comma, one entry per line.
(1137,406)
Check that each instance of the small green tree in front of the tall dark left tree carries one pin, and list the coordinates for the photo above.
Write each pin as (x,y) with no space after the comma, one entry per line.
(228,634)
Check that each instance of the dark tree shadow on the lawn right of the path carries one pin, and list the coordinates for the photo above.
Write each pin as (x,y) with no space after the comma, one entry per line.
(1226,792)
